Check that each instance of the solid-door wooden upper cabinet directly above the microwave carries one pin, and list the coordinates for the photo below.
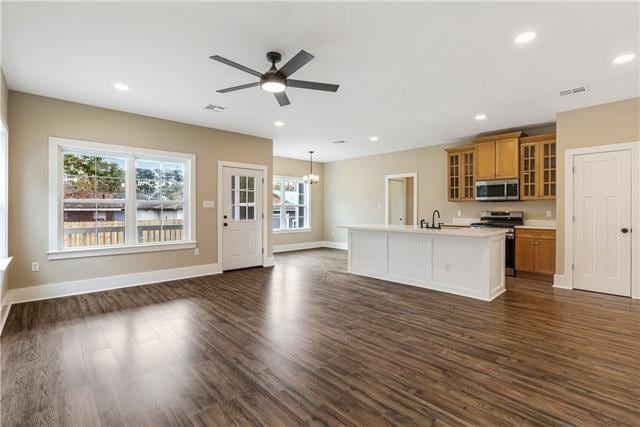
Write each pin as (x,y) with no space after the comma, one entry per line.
(497,156)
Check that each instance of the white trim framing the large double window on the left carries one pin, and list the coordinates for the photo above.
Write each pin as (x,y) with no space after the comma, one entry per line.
(56,194)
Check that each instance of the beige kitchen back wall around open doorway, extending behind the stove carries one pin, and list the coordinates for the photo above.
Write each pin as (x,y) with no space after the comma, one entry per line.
(354,190)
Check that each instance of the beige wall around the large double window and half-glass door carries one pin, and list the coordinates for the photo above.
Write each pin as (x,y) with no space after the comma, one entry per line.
(33,119)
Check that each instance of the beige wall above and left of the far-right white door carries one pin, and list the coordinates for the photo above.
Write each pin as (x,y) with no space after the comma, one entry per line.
(603,124)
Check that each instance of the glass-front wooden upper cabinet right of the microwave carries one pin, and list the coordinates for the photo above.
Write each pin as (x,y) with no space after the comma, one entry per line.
(538,168)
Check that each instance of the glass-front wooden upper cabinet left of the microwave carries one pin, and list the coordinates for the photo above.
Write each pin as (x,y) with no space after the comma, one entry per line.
(461,173)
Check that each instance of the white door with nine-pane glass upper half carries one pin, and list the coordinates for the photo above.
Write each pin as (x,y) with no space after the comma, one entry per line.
(242,218)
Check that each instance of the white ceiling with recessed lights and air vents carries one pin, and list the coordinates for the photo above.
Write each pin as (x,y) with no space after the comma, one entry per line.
(413,74)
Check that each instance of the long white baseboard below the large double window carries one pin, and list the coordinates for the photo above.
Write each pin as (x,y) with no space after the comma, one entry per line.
(76,287)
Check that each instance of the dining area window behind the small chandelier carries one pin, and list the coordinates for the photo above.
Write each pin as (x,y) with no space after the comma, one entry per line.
(291,203)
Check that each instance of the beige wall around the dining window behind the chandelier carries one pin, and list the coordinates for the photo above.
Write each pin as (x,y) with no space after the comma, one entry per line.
(298,168)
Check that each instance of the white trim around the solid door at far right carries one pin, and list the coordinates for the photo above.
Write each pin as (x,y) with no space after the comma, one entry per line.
(634,147)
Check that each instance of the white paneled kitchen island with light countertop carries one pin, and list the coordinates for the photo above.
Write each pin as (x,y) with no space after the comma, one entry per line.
(461,261)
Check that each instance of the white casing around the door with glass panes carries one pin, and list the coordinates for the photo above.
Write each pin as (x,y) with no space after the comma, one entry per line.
(267,260)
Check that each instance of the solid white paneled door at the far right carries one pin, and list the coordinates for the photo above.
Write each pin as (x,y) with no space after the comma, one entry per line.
(602,222)
